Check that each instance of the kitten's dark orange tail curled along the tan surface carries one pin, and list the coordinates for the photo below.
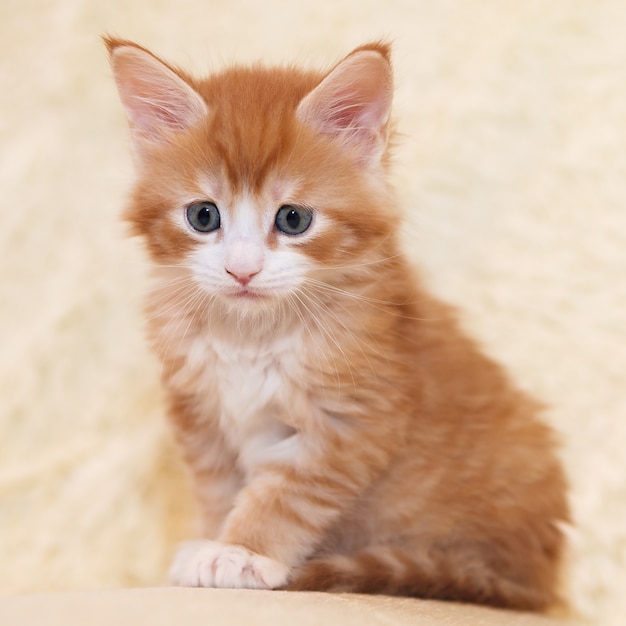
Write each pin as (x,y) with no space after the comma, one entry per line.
(392,571)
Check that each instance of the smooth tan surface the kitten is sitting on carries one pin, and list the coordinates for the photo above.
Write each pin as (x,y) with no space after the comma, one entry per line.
(210,607)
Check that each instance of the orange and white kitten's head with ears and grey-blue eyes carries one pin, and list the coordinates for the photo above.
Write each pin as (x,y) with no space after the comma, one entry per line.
(262,184)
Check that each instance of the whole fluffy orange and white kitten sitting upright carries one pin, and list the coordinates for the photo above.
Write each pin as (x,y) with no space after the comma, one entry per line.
(343,433)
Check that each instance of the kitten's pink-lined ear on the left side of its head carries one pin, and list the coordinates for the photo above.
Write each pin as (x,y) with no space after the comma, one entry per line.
(157,99)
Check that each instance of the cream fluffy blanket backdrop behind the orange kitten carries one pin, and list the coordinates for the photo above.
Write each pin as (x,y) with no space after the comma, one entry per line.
(512,168)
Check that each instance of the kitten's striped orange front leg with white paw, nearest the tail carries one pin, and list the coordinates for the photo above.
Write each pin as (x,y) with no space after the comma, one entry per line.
(281,516)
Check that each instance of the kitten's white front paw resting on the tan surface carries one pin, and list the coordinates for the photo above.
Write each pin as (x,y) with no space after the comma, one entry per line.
(213,564)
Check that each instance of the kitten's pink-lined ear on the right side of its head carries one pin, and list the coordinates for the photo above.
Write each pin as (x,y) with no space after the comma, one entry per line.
(353,102)
